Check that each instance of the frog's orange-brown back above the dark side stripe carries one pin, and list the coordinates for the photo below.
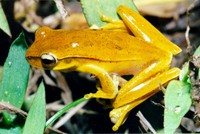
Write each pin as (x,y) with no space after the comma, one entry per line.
(97,44)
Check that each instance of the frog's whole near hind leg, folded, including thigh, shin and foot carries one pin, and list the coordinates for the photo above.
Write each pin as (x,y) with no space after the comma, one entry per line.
(141,87)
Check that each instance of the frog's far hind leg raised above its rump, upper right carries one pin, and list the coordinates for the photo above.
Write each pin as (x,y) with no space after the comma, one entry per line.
(141,28)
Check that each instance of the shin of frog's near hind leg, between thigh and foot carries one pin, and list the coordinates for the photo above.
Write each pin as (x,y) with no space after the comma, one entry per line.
(146,88)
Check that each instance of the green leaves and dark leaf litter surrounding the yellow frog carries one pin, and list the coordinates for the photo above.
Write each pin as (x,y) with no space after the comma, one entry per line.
(30,97)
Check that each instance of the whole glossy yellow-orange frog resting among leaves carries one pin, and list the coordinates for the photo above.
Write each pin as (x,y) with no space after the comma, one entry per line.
(108,54)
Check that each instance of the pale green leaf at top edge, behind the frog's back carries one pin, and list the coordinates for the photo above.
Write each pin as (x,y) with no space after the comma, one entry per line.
(94,9)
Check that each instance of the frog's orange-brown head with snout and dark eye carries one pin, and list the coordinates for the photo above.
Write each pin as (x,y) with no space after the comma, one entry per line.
(41,54)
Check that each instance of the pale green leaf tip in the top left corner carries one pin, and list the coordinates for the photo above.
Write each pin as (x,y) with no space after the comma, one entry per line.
(4,24)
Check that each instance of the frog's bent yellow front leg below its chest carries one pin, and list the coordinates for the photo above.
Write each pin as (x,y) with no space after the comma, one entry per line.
(109,86)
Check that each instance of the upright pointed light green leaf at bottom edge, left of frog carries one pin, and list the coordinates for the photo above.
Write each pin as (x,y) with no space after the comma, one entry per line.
(36,118)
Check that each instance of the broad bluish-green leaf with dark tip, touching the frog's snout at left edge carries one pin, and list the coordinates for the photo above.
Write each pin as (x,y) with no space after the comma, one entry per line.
(15,75)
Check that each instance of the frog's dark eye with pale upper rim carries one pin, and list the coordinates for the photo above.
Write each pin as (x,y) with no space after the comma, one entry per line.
(48,60)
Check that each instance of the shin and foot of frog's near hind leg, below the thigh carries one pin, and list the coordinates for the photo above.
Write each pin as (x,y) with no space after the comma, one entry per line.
(143,92)
